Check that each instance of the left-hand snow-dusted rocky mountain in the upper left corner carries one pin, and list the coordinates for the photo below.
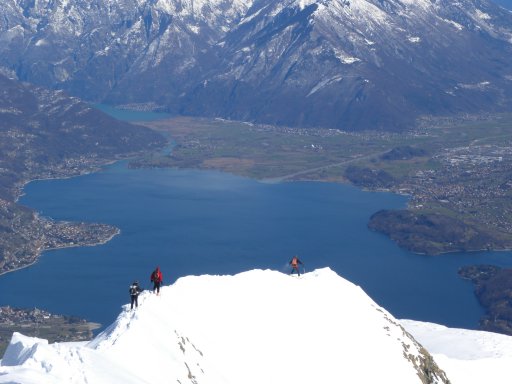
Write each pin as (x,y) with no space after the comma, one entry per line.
(98,49)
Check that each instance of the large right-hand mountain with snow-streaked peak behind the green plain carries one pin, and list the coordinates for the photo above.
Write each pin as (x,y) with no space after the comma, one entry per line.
(365,64)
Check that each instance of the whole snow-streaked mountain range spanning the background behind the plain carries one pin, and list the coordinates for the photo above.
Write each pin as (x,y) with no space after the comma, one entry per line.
(359,64)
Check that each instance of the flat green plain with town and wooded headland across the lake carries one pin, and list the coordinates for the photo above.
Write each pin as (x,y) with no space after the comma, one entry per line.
(457,172)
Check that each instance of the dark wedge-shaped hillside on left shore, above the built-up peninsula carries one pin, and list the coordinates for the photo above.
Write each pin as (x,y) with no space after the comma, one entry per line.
(46,133)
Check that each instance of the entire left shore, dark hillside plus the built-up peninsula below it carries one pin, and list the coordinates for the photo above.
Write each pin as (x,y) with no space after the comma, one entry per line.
(46,134)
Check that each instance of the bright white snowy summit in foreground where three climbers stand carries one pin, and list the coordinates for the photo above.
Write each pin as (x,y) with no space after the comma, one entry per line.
(254,327)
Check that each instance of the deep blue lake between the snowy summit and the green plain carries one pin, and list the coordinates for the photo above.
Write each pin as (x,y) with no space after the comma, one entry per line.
(196,222)
